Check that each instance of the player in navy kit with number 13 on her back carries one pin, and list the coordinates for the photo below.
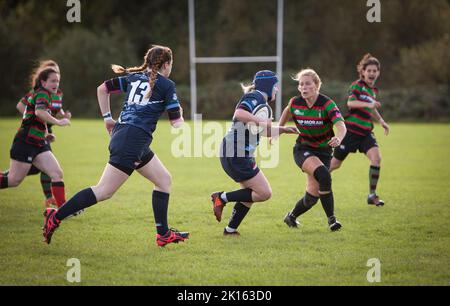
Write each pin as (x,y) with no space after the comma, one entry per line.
(150,93)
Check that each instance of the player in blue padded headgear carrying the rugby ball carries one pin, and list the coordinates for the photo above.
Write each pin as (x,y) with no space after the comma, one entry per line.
(238,147)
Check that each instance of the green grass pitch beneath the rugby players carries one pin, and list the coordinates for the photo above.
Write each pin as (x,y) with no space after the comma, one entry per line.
(115,240)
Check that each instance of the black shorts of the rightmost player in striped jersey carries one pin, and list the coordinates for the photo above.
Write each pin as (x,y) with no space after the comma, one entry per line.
(353,142)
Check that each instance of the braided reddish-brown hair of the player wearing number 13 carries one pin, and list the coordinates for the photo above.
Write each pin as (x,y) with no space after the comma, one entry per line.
(155,57)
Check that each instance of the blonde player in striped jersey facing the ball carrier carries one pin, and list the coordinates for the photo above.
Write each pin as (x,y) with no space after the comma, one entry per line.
(314,115)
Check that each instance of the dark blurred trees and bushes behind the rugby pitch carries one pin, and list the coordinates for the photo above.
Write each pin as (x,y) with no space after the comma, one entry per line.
(412,41)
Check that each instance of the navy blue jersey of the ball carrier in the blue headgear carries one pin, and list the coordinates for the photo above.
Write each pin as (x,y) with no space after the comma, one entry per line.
(239,141)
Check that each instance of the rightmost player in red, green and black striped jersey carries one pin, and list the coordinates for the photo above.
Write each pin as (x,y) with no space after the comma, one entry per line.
(363,108)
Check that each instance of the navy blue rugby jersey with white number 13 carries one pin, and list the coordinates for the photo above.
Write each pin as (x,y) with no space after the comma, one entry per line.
(138,110)
